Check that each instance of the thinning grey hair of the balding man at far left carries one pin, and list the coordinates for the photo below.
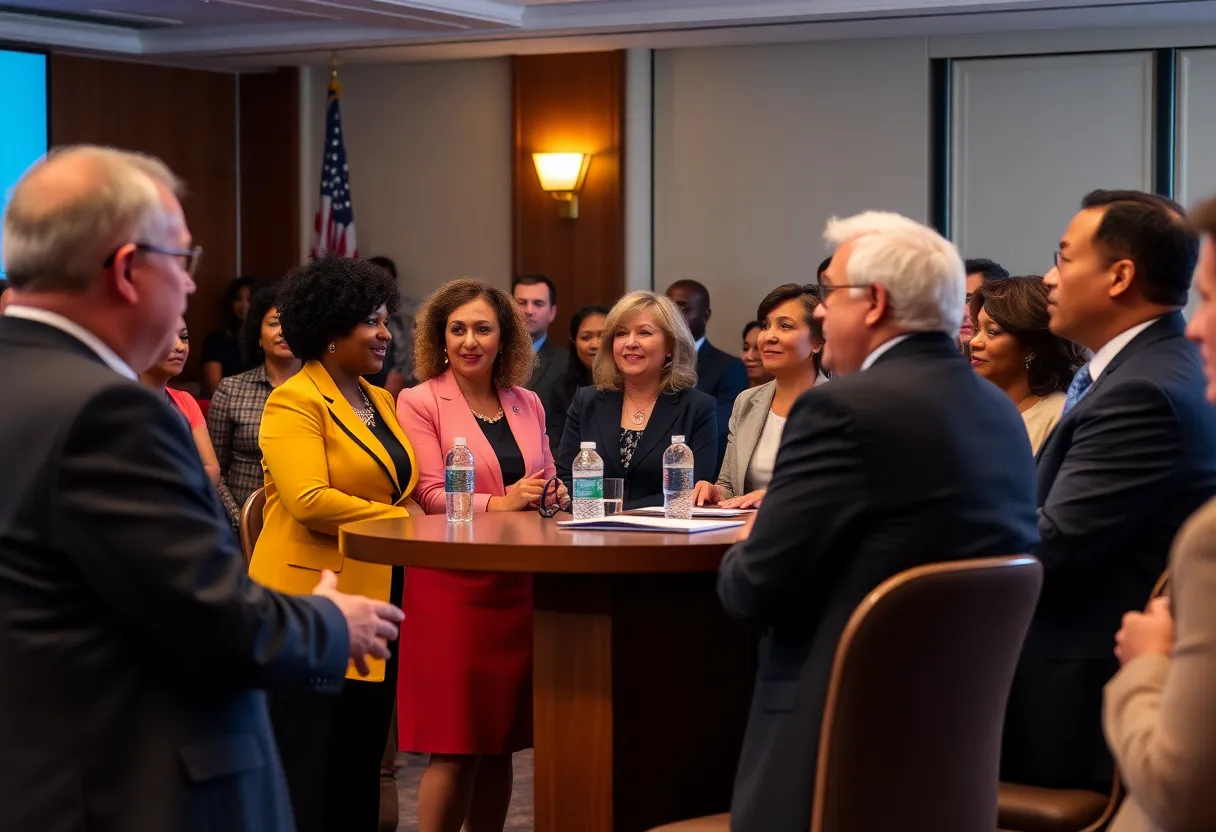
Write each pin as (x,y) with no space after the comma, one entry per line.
(61,227)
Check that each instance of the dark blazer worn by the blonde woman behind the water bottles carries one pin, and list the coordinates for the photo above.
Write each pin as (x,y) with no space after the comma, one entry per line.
(595,417)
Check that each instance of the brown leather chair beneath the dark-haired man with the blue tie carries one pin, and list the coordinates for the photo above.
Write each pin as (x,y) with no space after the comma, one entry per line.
(1039,809)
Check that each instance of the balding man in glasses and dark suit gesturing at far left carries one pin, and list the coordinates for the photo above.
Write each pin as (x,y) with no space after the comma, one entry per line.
(132,642)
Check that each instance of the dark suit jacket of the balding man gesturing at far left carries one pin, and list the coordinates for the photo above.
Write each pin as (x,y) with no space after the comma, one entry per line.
(132,642)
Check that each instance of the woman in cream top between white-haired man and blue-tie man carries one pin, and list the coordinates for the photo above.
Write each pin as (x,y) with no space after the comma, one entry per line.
(1015,350)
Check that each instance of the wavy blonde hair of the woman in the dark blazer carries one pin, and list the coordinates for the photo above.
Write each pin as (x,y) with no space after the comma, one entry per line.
(680,373)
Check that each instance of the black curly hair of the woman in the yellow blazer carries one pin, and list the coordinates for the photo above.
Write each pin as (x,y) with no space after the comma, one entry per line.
(328,299)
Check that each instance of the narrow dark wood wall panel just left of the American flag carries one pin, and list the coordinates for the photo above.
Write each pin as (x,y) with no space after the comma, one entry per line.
(271,182)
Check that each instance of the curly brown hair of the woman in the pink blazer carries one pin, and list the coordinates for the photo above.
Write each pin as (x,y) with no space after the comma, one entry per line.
(516,359)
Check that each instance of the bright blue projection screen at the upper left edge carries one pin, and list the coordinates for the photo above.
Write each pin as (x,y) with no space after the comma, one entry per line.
(24,133)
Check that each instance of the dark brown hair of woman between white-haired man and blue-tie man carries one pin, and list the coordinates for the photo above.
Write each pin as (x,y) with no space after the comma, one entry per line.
(1020,307)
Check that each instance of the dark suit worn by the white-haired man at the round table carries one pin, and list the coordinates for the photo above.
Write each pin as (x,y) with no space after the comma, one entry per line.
(915,460)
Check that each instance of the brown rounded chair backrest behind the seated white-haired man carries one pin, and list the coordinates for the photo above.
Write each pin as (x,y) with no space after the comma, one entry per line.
(911,735)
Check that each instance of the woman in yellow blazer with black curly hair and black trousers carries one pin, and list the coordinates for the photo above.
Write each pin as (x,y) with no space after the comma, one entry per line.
(334,454)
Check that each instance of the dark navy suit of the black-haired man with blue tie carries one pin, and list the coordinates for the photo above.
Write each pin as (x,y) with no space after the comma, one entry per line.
(1117,480)
